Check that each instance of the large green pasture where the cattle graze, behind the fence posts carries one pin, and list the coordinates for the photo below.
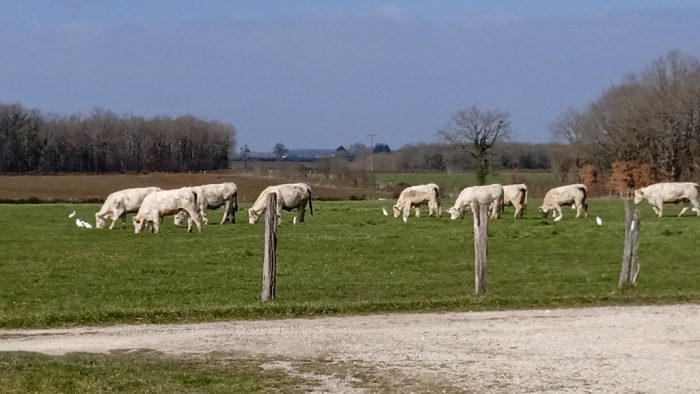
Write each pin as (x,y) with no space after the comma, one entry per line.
(347,258)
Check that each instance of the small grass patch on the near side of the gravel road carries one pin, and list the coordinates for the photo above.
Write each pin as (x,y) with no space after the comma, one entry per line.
(140,372)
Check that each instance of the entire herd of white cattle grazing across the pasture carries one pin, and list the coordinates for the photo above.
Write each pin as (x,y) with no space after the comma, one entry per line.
(151,204)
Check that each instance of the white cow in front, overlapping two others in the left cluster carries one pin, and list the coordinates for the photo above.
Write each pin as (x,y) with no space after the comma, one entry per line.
(164,203)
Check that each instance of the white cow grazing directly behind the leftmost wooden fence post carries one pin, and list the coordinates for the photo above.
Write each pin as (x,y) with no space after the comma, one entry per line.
(289,196)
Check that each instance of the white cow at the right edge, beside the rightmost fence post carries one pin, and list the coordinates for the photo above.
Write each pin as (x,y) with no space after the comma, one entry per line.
(669,192)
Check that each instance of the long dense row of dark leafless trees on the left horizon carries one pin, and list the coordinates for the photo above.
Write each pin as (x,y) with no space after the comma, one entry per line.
(103,141)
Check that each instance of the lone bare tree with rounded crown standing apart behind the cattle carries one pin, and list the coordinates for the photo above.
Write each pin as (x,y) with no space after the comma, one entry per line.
(476,132)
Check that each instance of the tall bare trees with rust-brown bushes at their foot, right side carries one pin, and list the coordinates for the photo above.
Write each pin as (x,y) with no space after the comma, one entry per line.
(650,120)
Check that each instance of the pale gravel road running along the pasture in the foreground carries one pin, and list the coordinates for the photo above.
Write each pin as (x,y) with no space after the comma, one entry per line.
(616,349)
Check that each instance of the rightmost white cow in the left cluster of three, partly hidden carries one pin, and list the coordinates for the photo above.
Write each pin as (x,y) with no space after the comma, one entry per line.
(213,196)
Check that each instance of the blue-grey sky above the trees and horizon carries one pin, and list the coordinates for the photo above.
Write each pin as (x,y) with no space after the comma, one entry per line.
(321,73)
